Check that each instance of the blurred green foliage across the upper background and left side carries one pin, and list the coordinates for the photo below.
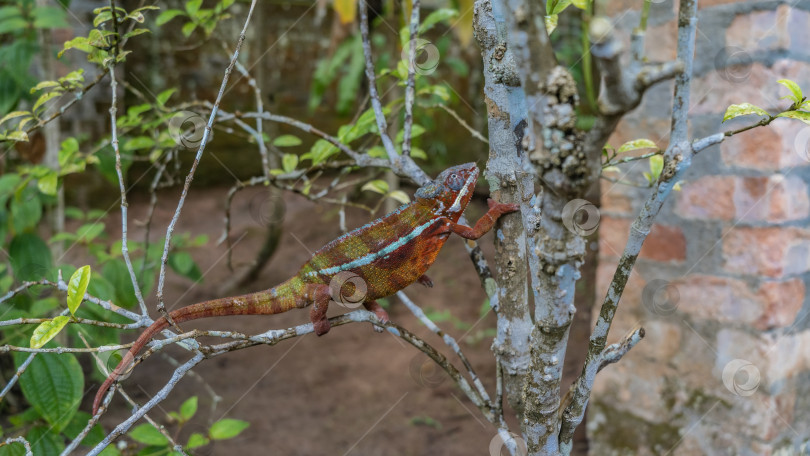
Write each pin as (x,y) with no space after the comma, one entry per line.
(306,59)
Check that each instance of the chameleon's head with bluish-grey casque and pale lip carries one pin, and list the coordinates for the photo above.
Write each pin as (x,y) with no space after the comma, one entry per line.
(452,189)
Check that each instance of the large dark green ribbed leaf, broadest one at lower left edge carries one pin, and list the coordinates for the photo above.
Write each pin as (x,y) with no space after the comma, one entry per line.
(53,385)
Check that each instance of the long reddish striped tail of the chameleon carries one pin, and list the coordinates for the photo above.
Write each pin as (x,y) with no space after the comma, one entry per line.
(273,301)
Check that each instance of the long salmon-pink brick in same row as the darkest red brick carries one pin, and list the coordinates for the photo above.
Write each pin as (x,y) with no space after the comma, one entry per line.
(771,252)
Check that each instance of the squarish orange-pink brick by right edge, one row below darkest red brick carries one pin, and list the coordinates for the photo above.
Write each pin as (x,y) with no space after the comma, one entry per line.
(781,302)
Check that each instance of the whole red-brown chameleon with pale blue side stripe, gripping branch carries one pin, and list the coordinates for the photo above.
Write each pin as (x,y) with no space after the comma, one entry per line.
(387,255)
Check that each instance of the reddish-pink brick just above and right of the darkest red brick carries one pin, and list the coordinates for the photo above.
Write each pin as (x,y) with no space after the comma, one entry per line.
(708,197)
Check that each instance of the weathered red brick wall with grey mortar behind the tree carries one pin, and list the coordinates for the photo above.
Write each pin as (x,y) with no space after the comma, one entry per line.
(721,286)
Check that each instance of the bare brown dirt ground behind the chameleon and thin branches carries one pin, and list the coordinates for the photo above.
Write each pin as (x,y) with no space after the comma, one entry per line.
(352,391)
